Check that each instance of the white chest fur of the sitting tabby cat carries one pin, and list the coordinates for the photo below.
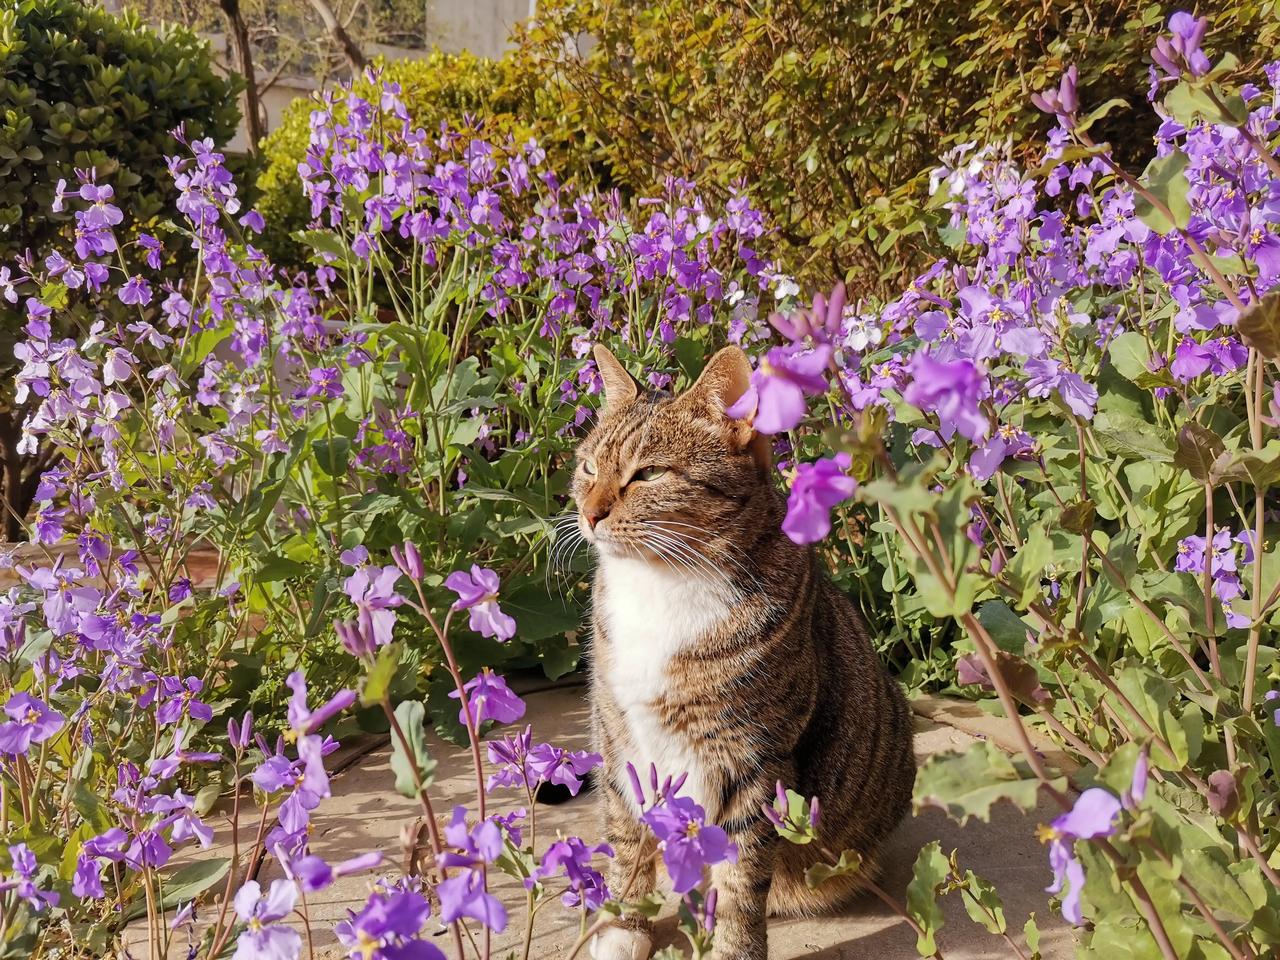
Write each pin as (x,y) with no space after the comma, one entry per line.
(652,612)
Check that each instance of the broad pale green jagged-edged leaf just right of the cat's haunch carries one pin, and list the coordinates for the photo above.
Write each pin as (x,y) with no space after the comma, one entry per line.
(968,784)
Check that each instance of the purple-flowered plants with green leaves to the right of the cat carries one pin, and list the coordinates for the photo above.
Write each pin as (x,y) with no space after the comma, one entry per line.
(1066,444)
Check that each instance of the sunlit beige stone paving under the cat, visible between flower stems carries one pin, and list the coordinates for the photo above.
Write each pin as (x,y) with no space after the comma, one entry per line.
(365,813)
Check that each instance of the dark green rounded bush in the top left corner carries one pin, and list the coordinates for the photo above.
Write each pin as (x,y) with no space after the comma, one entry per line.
(84,89)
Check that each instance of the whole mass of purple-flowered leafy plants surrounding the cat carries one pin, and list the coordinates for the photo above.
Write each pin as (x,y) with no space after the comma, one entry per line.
(1058,444)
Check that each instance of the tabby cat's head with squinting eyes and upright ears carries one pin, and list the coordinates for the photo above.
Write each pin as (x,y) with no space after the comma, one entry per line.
(668,478)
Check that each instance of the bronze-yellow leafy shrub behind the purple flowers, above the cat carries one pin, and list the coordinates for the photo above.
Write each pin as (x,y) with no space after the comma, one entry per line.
(831,113)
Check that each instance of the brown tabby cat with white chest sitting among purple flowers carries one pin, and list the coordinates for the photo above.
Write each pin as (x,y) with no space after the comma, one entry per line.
(723,651)
